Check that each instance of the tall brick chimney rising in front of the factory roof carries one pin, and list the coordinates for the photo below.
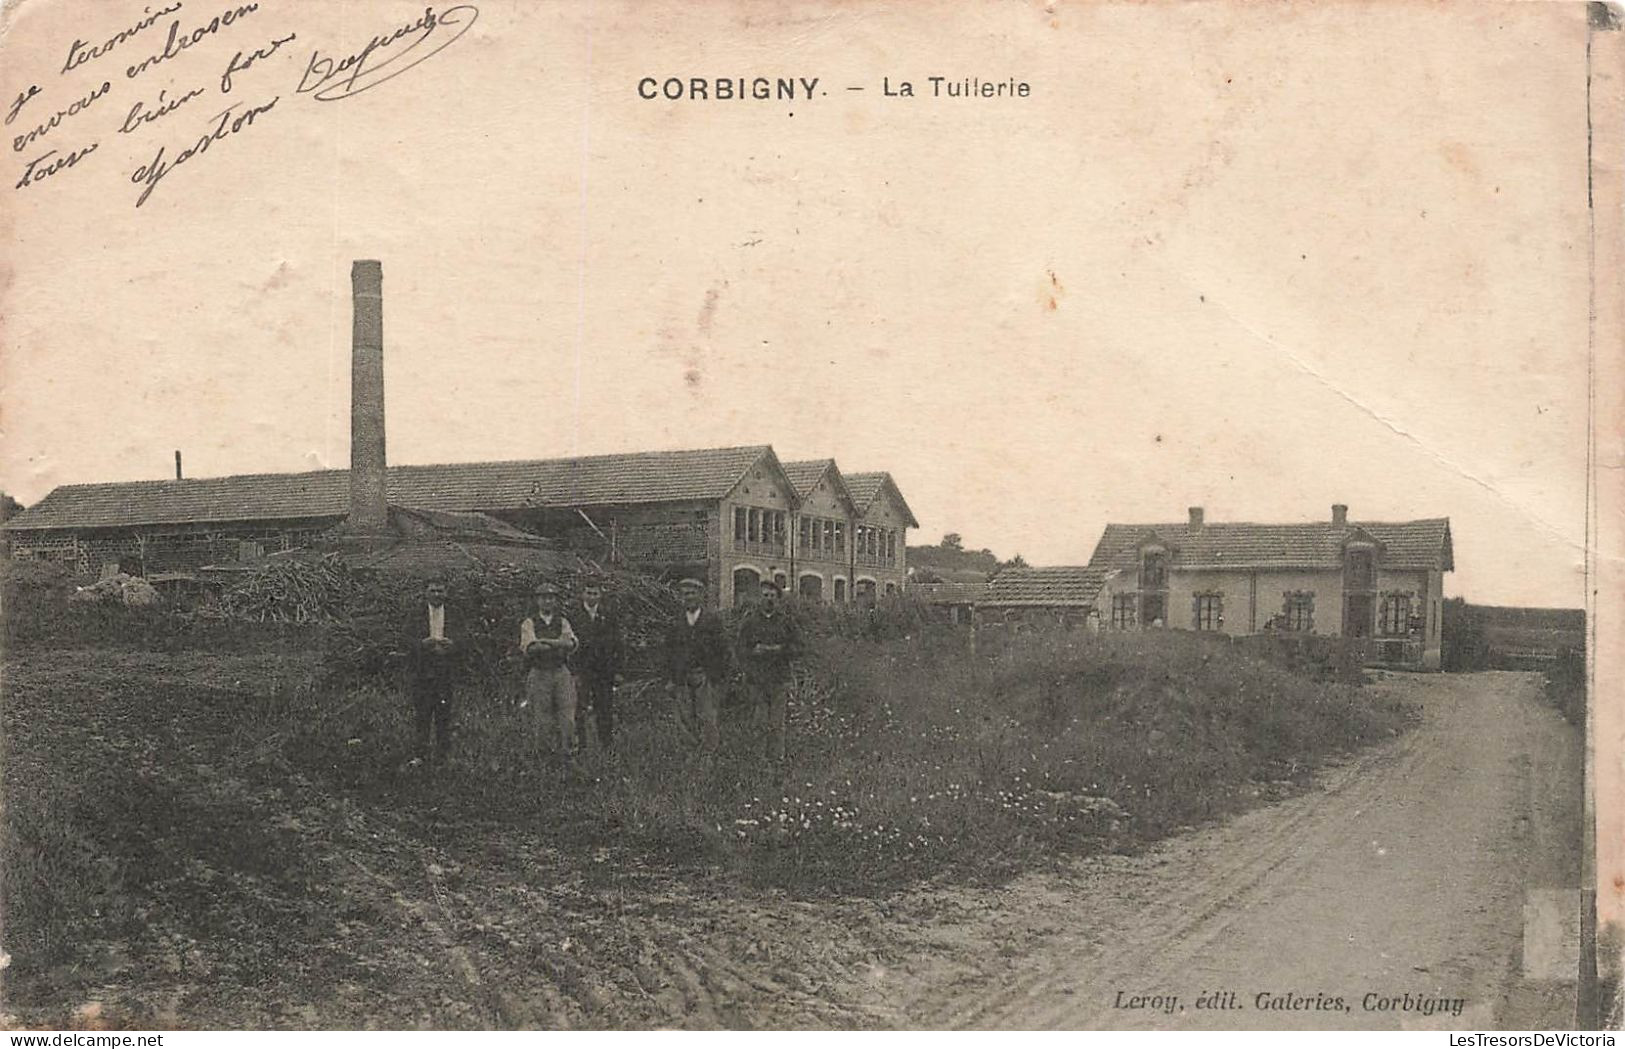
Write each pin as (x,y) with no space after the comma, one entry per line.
(368,503)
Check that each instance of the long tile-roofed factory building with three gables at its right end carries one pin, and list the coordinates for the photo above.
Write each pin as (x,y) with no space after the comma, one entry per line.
(727,516)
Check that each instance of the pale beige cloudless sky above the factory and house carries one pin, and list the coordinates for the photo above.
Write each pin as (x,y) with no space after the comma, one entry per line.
(1260,261)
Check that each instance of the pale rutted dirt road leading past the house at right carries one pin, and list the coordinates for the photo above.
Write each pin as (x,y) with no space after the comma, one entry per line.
(1405,873)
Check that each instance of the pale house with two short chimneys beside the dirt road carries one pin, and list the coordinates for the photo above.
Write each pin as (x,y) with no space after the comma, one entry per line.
(1380,581)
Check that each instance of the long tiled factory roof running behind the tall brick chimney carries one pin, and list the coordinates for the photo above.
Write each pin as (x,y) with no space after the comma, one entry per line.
(600,480)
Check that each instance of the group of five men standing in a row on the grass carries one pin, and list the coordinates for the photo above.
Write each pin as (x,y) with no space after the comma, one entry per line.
(574,657)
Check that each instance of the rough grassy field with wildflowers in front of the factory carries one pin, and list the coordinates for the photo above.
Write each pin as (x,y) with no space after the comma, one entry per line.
(202,837)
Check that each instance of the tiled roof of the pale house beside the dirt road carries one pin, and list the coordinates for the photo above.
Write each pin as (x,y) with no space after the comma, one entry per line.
(1314,545)
